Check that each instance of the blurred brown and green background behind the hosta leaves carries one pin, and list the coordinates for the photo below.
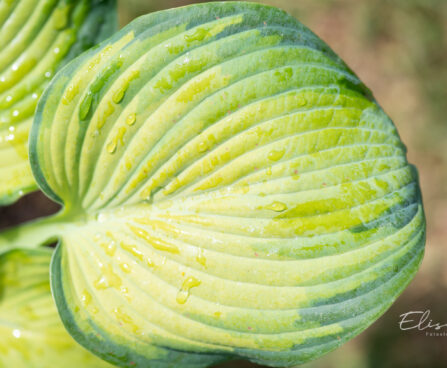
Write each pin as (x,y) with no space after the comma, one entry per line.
(399,49)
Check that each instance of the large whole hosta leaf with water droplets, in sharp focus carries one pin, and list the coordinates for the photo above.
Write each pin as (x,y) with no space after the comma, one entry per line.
(230,187)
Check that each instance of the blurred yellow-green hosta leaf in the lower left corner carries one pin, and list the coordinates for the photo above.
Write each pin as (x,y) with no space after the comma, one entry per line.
(31,332)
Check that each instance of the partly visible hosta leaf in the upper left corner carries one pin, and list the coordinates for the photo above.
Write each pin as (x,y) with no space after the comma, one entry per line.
(37,37)
